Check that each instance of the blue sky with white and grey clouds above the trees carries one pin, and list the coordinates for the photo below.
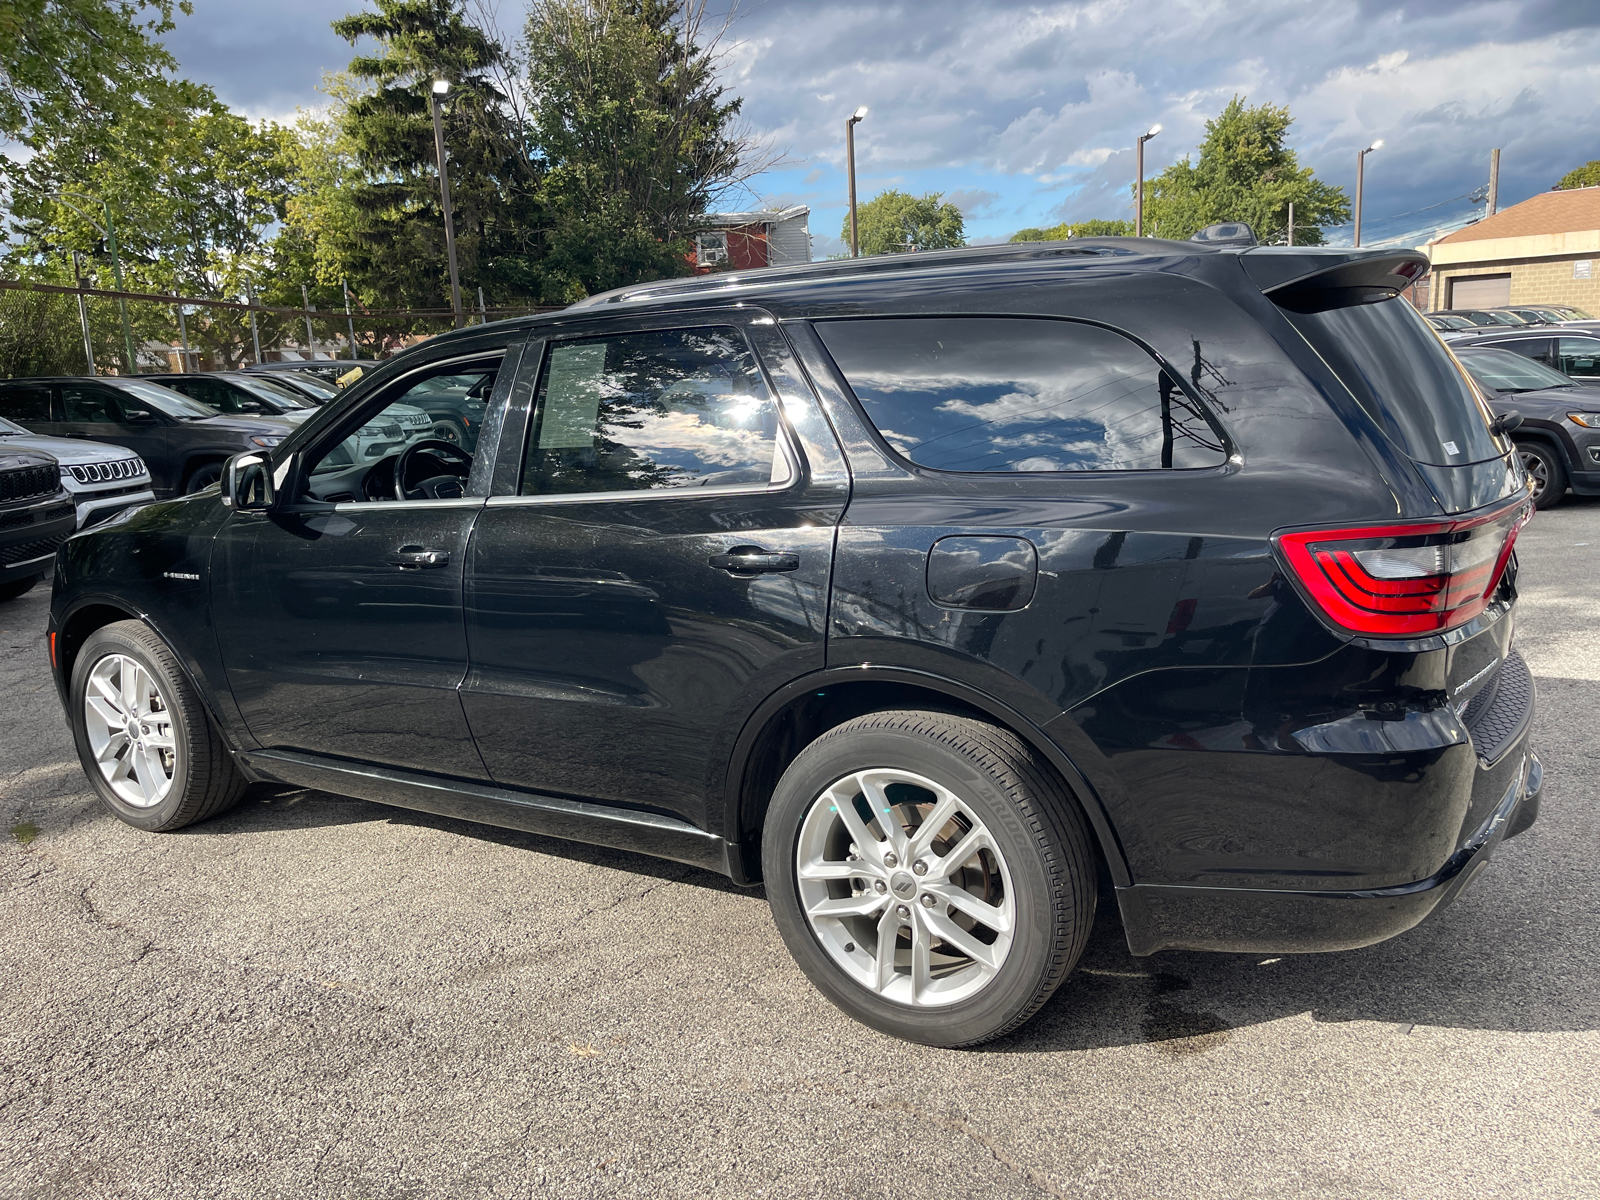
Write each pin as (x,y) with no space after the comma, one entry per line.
(1025,114)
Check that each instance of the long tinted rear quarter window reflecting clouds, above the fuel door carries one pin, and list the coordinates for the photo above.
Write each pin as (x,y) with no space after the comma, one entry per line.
(1018,394)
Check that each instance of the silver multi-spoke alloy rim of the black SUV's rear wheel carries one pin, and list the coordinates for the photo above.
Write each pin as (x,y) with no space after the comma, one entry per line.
(905,887)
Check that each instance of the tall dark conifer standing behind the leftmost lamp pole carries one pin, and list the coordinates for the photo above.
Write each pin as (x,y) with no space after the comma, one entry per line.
(386,223)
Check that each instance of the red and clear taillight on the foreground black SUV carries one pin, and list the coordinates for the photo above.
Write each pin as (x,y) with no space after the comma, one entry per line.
(1406,580)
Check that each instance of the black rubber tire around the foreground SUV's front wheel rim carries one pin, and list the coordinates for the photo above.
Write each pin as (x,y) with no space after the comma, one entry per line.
(204,782)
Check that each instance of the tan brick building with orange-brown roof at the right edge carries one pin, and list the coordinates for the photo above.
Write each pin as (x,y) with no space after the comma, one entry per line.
(1545,250)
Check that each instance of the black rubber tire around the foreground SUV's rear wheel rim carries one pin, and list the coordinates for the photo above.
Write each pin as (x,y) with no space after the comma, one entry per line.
(1031,817)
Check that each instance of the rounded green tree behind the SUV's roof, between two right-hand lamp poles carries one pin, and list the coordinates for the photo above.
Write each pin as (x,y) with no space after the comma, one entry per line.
(1246,172)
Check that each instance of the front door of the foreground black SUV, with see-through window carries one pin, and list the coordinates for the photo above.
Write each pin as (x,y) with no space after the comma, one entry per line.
(340,612)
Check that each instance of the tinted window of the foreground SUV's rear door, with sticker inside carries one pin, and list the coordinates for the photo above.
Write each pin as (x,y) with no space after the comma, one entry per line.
(678,409)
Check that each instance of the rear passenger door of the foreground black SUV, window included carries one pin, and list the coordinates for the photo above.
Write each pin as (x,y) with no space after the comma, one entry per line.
(654,564)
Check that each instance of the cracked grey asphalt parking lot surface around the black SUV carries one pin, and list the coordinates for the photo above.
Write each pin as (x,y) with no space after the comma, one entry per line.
(324,998)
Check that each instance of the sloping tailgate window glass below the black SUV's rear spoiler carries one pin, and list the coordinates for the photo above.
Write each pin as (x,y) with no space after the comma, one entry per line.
(1407,382)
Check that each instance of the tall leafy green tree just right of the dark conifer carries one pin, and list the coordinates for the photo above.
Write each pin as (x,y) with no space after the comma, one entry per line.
(638,137)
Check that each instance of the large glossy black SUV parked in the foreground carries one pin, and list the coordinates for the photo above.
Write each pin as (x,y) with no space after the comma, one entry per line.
(930,591)
